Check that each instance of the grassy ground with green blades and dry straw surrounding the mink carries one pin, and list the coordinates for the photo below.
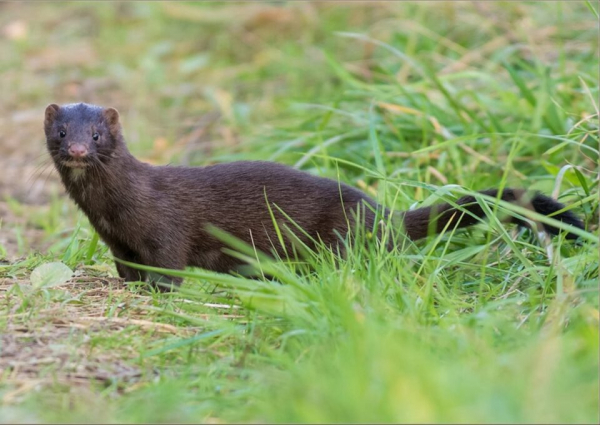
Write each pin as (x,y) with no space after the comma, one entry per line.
(410,102)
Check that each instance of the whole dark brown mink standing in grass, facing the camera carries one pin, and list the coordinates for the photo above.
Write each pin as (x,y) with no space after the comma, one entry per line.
(158,215)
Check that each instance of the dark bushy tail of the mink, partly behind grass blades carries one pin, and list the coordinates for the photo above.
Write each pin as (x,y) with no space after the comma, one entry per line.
(423,221)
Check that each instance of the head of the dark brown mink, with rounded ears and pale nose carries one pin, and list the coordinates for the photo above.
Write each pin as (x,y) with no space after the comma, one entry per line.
(79,135)
